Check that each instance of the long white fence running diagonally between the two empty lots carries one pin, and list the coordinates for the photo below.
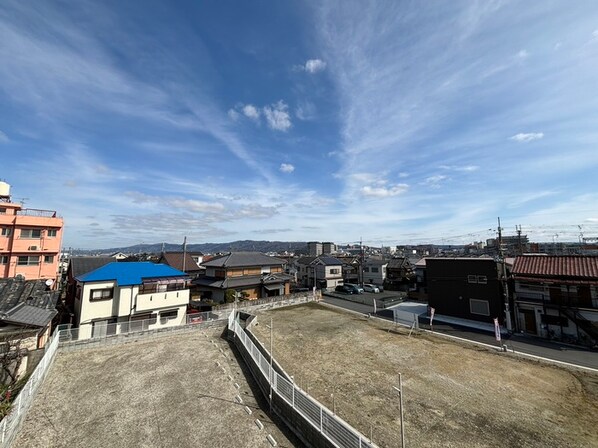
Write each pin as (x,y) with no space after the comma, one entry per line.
(336,430)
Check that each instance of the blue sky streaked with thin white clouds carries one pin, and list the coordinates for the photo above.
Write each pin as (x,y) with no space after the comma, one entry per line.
(398,122)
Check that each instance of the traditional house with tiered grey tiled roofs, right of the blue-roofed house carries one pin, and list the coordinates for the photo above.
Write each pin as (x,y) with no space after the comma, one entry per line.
(251,275)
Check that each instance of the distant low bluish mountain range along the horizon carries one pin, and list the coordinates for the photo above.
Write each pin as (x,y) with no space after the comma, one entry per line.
(206,248)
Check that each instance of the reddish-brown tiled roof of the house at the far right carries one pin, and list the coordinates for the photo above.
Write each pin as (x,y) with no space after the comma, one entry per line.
(576,266)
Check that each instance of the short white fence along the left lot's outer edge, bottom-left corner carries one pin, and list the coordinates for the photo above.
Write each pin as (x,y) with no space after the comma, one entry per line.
(11,423)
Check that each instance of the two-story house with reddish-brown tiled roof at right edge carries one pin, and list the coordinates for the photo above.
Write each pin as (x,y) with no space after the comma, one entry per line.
(557,296)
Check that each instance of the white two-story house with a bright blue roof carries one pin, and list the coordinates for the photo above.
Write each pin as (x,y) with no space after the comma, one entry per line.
(121,296)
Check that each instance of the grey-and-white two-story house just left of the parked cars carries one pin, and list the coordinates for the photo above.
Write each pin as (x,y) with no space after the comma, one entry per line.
(323,272)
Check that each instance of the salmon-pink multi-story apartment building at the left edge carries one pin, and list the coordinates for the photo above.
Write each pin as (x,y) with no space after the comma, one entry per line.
(30,240)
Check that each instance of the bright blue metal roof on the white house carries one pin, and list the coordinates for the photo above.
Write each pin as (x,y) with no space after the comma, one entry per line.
(132,273)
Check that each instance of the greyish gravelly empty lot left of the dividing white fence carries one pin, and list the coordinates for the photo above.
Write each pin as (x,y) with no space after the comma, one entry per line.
(166,392)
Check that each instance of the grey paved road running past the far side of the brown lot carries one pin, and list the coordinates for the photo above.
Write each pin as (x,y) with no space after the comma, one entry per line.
(519,343)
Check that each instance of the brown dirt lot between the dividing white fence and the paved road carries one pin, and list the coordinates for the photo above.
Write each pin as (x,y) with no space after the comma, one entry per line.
(455,395)
